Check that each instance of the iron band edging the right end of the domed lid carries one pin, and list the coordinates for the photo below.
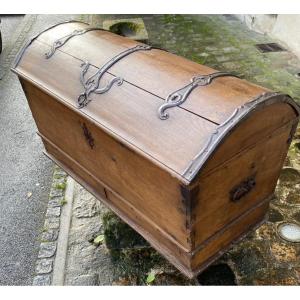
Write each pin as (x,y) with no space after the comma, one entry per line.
(226,128)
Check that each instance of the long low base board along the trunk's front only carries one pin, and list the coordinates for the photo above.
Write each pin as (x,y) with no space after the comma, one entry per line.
(159,239)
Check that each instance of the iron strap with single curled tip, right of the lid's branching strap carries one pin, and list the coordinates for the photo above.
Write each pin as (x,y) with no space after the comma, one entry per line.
(178,97)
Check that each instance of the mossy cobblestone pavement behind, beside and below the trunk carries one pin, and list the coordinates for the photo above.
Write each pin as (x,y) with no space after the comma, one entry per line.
(104,250)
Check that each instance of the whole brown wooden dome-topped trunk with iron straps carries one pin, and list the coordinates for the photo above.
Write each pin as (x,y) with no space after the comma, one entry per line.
(192,182)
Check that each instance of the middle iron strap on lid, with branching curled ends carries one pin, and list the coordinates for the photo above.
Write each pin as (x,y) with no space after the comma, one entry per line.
(91,84)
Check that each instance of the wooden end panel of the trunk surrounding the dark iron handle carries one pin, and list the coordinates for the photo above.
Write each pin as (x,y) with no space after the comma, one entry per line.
(214,208)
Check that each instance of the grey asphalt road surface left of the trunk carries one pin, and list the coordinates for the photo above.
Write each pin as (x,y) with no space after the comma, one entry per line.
(25,173)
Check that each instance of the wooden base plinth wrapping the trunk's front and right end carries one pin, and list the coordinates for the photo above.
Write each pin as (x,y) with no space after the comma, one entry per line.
(188,263)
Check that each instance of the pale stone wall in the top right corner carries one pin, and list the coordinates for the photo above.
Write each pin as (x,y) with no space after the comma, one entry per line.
(285,28)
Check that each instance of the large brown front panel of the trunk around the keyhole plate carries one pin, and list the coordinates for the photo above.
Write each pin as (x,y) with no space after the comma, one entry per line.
(149,188)
